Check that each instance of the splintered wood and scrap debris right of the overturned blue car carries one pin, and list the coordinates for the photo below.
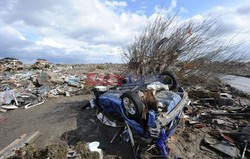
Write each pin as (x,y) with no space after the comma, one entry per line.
(220,119)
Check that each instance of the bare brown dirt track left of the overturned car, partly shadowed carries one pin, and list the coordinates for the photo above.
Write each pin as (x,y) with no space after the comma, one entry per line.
(61,120)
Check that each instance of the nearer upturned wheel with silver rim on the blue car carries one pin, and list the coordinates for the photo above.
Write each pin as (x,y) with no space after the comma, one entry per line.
(132,105)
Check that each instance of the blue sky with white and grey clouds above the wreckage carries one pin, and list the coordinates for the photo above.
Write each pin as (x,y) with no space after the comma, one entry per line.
(96,31)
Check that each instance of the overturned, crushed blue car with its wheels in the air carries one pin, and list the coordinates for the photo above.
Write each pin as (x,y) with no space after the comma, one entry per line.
(148,114)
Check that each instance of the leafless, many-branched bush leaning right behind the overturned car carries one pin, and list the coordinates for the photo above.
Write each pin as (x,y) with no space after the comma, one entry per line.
(193,45)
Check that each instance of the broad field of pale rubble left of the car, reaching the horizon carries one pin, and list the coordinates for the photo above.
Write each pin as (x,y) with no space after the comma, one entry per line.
(26,86)
